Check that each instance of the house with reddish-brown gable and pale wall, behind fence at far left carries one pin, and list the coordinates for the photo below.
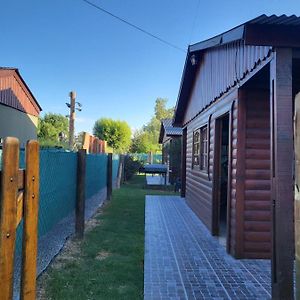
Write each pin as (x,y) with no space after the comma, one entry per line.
(19,110)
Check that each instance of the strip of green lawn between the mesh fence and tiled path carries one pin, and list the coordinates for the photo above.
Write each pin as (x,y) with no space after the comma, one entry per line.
(108,263)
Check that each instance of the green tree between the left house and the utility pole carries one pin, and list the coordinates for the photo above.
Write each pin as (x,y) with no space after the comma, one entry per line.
(49,128)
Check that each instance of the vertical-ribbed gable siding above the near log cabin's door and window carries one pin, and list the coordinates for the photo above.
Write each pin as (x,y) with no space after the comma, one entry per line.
(219,70)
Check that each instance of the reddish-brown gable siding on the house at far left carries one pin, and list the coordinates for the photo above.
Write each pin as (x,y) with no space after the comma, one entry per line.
(13,93)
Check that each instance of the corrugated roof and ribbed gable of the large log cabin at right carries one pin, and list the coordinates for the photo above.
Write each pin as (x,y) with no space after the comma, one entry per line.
(230,56)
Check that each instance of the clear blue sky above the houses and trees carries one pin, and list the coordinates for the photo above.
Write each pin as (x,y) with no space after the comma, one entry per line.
(117,72)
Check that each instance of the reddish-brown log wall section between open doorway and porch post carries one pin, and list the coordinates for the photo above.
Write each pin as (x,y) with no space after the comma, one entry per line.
(251,190)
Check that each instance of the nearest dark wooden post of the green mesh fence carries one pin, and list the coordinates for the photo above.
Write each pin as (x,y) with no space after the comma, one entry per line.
(80,193)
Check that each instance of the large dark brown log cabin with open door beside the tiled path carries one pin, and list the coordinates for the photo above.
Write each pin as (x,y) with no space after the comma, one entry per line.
(235,106)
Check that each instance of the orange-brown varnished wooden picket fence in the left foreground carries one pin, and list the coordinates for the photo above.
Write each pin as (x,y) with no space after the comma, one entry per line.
(19,199)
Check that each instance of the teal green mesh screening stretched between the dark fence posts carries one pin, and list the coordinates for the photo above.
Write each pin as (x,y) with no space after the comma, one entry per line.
(58,176)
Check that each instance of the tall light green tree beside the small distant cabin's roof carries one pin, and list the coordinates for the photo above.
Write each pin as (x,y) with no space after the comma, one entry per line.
(146,139)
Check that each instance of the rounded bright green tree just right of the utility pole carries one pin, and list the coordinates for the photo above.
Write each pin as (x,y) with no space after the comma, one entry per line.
(116,133)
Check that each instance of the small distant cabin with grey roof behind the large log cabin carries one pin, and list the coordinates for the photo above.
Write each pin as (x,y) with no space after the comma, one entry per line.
(170,138)
